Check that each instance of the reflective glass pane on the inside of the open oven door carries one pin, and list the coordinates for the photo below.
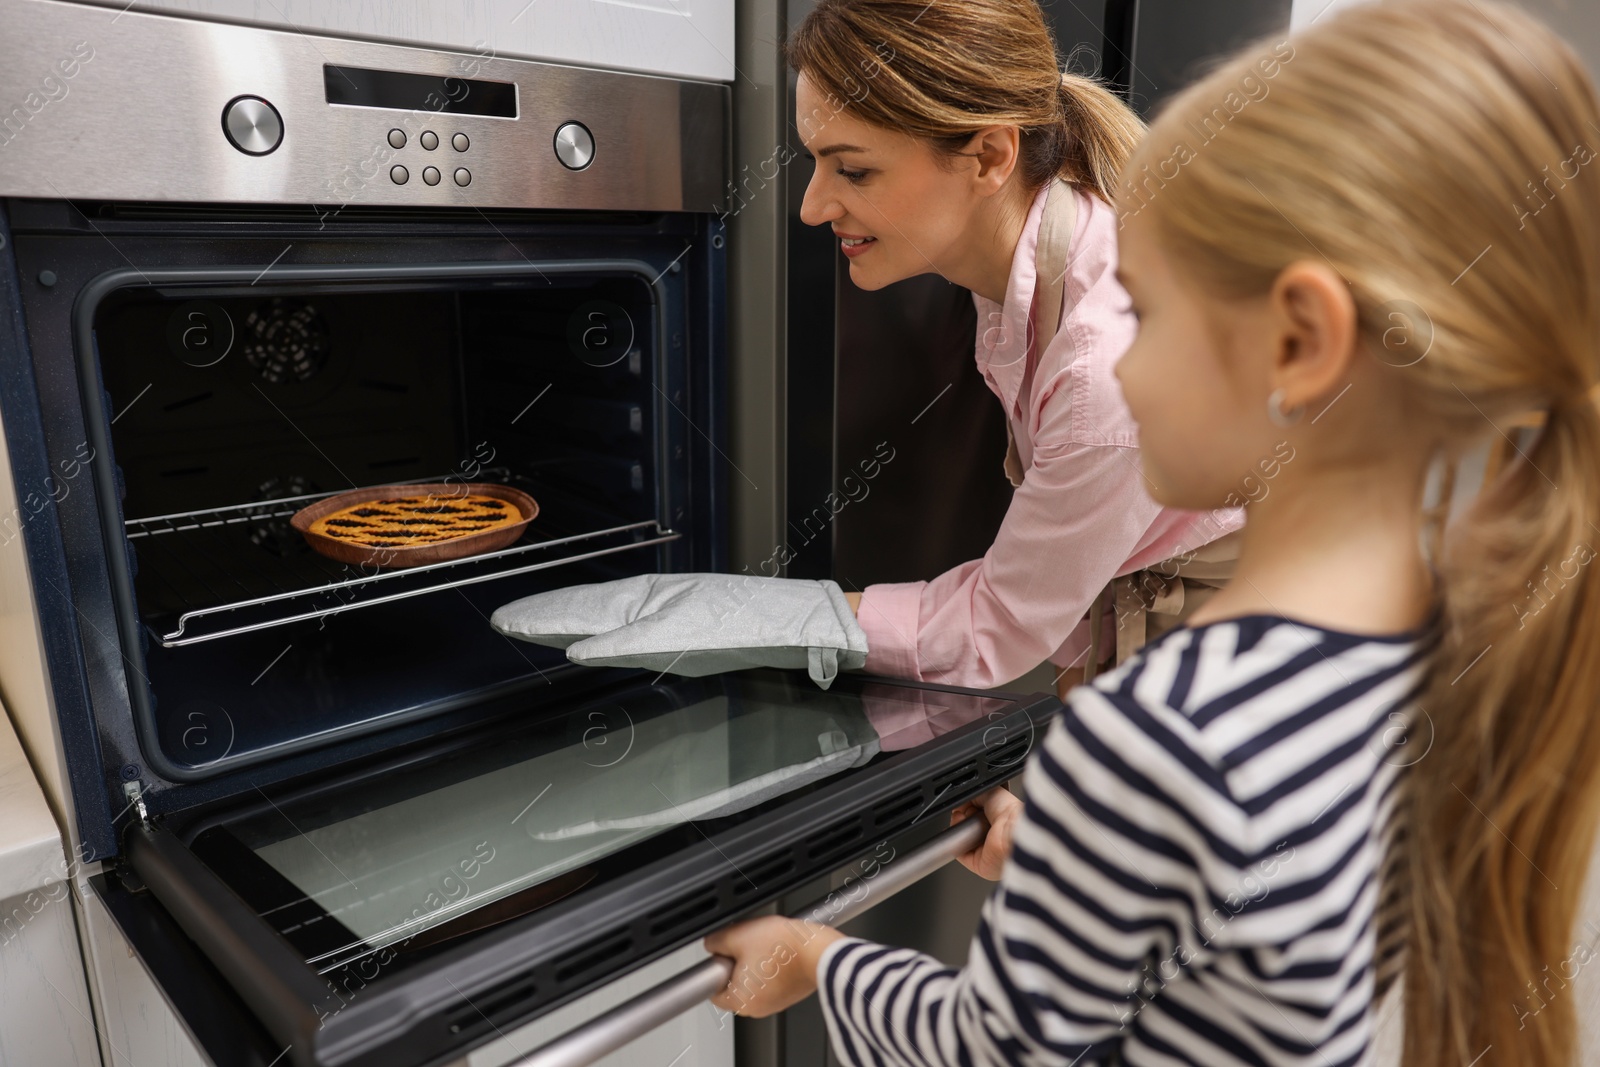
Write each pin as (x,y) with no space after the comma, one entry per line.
(604,781)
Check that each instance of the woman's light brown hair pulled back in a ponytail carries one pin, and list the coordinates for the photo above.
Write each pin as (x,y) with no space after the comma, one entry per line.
(943,70)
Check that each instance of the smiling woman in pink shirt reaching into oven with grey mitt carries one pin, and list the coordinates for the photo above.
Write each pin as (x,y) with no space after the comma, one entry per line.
(948,142)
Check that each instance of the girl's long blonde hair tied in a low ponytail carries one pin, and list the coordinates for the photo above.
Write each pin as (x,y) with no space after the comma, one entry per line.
(1441,158)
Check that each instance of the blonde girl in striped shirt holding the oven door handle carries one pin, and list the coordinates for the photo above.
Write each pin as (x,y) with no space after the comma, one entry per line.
(1378,246)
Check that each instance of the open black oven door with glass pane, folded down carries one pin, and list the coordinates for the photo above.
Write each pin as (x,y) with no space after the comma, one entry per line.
(414,909)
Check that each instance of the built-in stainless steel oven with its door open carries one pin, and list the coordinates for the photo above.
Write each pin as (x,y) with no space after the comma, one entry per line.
(335,815)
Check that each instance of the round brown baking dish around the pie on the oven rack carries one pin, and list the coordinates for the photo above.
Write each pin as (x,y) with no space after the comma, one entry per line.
(415,554)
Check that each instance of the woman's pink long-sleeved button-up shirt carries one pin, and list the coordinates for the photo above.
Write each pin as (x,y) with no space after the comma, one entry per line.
(1082,514)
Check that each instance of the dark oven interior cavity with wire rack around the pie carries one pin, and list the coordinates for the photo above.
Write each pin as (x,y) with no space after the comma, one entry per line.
(230,409)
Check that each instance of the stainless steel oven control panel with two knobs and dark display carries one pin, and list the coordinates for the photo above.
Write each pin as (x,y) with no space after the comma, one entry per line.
(263,116)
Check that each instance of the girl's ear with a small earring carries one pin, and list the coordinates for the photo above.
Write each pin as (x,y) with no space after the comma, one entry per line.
(1318,332)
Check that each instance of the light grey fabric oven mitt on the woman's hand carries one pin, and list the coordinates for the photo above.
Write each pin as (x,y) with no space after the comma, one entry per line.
(695,625)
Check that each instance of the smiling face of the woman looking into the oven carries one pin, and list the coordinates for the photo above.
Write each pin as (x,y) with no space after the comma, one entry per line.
(897,209)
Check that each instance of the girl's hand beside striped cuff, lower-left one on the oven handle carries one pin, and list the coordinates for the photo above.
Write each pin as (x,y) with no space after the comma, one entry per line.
(774,964)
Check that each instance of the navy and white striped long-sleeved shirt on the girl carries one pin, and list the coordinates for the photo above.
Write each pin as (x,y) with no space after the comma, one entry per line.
(1196,874)
